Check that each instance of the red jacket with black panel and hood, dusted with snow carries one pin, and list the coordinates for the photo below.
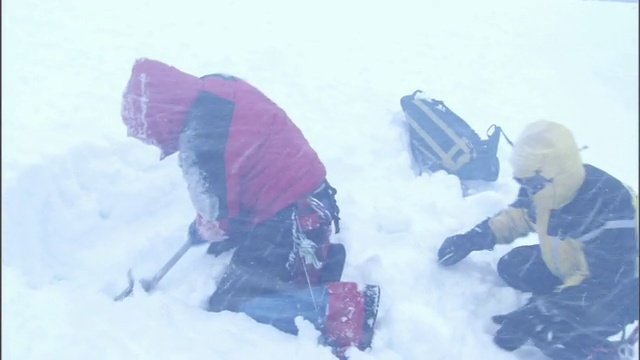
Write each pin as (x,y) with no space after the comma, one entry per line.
(242,157)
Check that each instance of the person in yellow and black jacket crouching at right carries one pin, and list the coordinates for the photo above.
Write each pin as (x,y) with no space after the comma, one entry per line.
(583,274)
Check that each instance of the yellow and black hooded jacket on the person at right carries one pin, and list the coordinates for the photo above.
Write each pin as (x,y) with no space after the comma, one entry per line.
(585,219)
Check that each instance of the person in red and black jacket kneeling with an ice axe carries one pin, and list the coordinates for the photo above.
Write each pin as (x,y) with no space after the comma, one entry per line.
(258,187)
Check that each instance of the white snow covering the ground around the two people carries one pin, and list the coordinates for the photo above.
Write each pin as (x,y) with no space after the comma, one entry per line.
(82,203)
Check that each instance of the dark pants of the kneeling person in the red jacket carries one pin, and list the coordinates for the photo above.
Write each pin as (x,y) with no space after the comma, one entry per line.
(267,260)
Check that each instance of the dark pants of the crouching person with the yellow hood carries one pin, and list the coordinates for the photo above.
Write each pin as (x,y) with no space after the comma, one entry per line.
(580,317)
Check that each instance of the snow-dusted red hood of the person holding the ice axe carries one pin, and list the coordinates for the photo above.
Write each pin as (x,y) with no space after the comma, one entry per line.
(155,103)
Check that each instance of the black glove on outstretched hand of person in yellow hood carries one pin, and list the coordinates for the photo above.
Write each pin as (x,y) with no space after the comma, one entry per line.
(458,247)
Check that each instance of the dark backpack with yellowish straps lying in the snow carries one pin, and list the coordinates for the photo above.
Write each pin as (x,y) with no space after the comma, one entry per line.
(441,140)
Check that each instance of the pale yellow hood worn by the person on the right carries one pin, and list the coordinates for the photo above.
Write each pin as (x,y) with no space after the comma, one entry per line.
(550,149)
